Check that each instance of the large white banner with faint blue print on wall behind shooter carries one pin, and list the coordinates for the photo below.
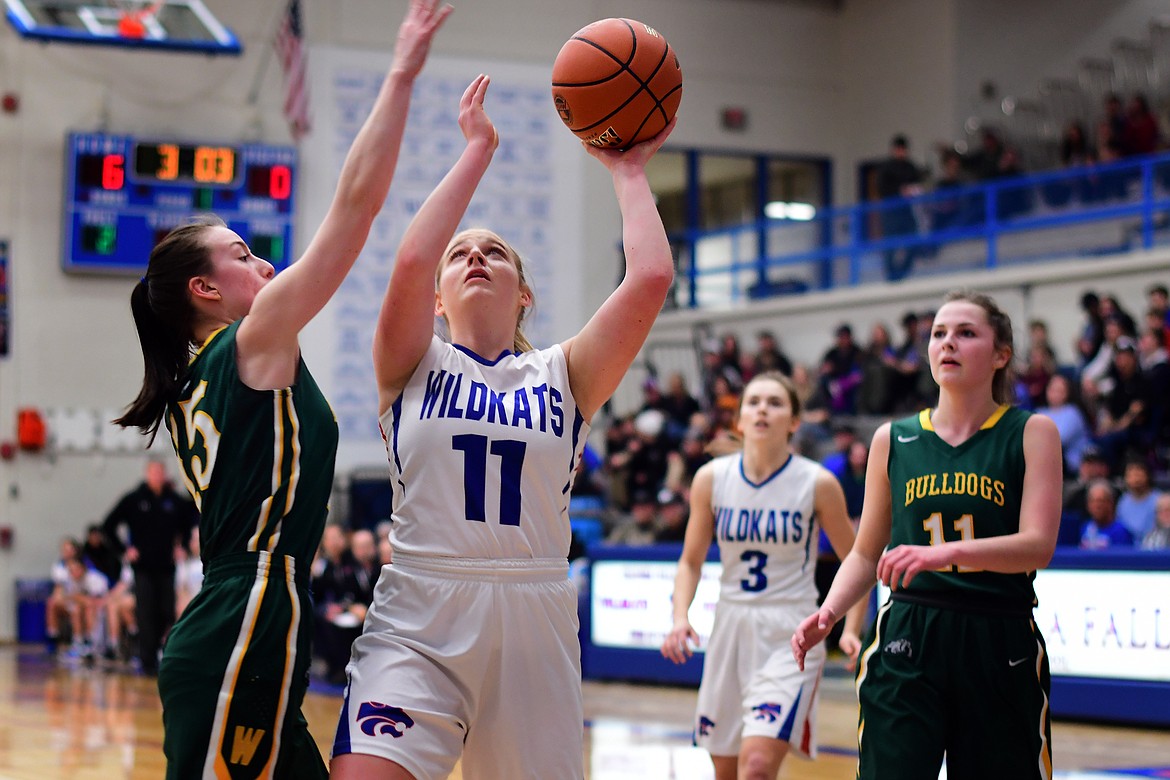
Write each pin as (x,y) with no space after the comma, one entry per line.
(531,197)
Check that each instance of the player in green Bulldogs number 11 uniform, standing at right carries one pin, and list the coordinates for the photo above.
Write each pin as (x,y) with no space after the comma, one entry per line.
(965,500)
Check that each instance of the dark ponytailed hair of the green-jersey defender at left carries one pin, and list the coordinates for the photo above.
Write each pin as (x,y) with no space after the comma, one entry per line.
(164,319)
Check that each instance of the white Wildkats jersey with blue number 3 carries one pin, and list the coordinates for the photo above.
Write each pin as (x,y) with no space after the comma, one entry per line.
(767,533)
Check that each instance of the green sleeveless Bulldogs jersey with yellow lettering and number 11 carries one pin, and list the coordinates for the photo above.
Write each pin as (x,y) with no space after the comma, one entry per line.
(948,494)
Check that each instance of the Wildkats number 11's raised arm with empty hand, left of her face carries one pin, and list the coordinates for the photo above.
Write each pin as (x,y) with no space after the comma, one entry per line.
(407,321)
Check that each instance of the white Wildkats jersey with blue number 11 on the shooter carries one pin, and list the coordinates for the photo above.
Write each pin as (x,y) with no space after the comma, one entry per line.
(483,454)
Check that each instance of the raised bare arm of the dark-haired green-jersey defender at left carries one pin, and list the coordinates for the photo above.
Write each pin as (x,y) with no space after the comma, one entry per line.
(294,298)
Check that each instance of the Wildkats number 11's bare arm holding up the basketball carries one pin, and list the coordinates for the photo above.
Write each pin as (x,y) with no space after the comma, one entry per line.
(602,353)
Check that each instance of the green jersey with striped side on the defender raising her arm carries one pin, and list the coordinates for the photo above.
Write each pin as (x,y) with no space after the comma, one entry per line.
(259,464)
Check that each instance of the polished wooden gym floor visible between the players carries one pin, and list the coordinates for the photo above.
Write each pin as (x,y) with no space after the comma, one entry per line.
(61,721)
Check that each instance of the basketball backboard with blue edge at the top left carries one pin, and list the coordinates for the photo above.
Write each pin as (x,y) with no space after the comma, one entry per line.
(171,25)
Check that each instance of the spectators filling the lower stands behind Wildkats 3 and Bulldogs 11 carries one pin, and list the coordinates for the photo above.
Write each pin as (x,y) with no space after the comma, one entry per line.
(1107,395)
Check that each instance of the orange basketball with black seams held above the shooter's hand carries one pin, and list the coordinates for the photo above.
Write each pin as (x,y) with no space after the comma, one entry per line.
(616,84)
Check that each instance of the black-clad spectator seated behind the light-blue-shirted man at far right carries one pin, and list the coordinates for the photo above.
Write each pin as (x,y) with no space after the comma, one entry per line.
(1124,423)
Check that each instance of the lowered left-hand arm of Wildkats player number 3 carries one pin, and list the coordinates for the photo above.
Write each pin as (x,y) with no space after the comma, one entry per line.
(679,644)
